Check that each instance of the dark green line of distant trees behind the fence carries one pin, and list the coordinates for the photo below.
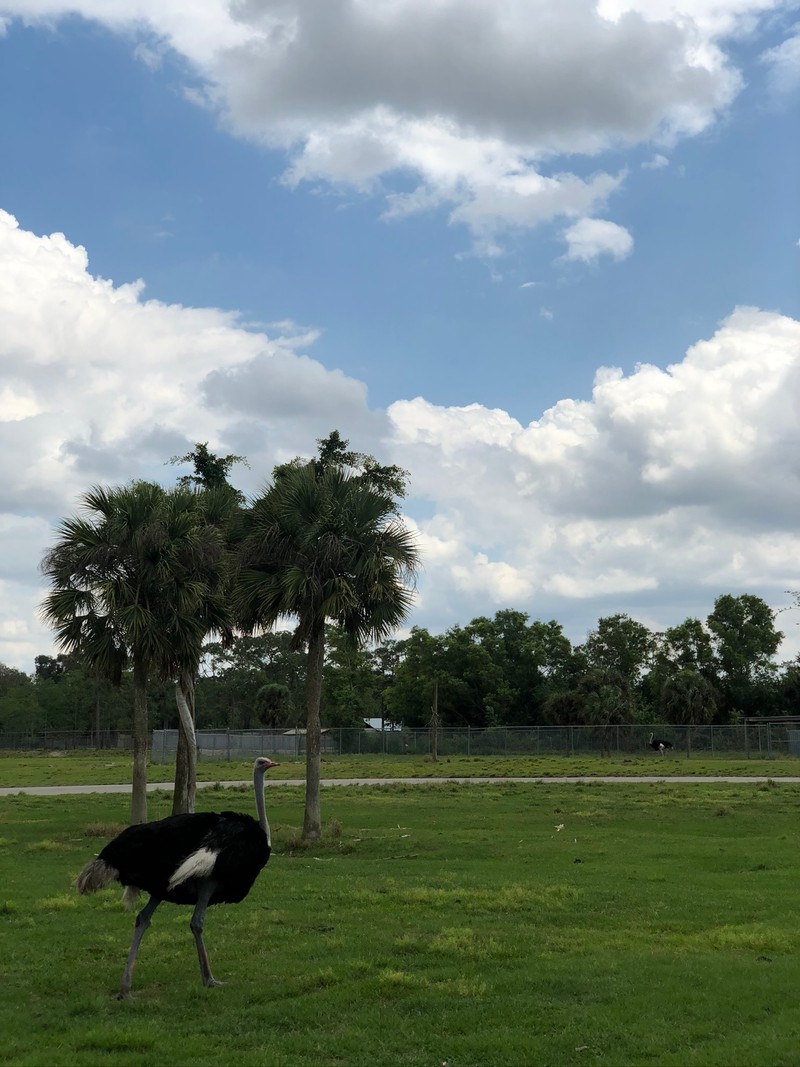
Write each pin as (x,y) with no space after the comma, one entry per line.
(505,671)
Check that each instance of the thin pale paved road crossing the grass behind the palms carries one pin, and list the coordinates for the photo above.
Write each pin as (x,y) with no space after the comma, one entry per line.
(50,791)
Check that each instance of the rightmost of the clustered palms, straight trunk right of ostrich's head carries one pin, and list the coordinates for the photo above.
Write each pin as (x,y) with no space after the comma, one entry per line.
(325,544)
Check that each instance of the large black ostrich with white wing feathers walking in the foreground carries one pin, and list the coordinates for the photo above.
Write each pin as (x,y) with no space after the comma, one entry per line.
(201,859)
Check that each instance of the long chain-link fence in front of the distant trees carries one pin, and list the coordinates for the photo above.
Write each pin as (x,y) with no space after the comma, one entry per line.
(747,741)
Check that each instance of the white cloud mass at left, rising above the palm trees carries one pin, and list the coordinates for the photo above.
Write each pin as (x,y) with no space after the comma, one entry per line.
(102,386)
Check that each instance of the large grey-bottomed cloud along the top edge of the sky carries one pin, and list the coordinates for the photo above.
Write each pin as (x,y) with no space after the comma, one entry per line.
(469,104)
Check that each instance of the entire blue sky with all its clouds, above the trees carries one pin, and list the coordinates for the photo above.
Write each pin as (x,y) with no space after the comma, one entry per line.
(431,226)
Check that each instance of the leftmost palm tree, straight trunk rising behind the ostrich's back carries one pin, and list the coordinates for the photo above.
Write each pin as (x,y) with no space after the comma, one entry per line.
(130,587)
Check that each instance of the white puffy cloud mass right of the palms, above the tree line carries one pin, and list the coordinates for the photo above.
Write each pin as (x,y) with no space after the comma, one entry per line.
(674,484)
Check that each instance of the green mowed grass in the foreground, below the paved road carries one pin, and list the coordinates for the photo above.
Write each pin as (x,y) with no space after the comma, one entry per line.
(502,925)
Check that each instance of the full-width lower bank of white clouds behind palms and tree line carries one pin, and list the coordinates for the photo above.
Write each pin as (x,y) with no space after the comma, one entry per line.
(666,488)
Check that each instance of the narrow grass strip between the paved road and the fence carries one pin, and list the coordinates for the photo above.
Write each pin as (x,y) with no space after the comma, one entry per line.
(109,768)
